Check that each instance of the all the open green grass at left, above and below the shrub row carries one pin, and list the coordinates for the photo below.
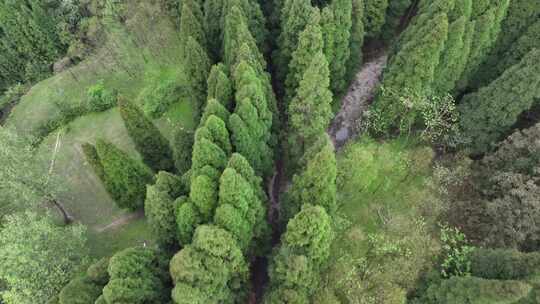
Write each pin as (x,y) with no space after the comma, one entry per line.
(137,54)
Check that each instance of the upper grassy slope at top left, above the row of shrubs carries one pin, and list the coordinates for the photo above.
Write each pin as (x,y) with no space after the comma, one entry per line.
(137,53)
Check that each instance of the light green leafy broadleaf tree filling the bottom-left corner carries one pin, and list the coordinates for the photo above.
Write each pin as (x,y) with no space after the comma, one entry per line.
(38,257)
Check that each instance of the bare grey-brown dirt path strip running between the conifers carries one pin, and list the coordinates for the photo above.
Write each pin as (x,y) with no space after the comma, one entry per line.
(356,101)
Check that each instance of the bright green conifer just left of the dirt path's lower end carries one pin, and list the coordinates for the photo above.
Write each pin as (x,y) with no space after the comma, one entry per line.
(310,111)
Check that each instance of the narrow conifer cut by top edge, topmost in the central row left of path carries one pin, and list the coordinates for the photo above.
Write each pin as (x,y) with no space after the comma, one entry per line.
(295,16)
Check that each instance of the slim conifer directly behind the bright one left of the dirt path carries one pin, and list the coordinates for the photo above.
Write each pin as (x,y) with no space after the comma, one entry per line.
(310,43)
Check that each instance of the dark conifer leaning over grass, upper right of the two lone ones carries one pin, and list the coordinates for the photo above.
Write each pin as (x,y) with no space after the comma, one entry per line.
(151,144)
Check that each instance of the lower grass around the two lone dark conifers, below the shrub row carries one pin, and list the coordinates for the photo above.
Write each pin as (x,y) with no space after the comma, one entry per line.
(83,194)
